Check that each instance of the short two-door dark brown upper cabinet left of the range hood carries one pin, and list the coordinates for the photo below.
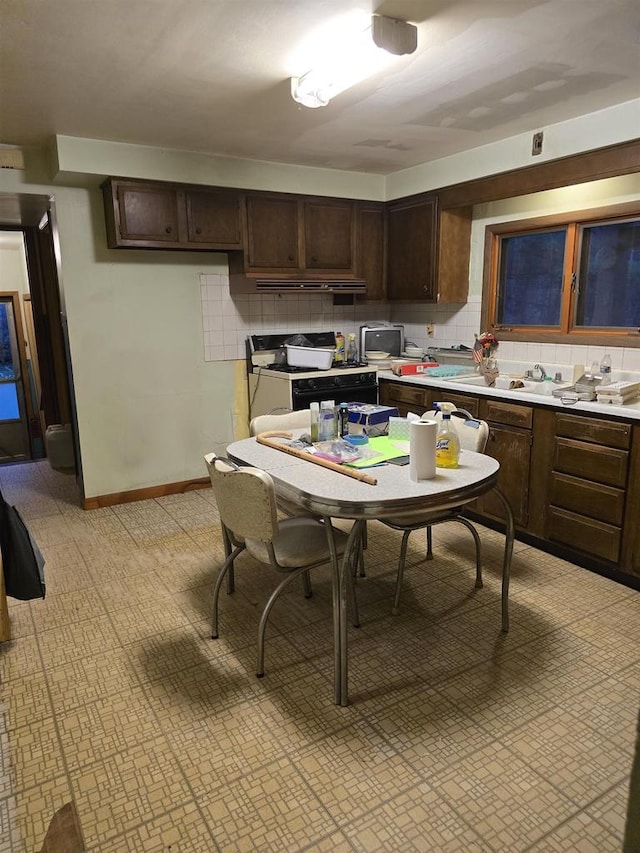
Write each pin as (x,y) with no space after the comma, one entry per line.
(157,215)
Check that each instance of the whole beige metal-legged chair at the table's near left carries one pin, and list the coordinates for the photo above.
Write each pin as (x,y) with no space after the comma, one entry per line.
(248,515)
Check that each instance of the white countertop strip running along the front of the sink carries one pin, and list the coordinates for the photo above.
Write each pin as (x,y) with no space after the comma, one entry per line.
(628,411)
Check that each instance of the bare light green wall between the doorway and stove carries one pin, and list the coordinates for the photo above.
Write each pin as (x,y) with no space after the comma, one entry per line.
(148,405)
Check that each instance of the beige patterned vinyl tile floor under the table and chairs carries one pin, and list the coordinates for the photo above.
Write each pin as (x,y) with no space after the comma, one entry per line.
(457,737)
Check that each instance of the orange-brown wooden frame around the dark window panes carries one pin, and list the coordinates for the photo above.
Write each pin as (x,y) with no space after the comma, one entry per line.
(573,222)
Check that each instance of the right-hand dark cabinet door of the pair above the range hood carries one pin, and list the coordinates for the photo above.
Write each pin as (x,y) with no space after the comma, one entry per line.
(329,235)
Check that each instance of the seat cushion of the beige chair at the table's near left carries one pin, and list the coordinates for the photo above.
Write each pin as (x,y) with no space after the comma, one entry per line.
(300,541)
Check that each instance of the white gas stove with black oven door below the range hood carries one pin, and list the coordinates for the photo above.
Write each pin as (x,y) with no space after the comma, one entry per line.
(273,384)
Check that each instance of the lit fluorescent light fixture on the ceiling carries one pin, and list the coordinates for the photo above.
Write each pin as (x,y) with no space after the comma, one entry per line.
(371,51)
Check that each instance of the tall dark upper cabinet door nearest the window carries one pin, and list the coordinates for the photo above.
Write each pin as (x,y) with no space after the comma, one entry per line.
(411,250)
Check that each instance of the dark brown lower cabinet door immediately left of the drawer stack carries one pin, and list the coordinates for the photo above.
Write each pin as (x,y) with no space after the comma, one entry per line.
(512,448)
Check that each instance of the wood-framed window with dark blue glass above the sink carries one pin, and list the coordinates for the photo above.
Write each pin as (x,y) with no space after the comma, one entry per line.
(570,278)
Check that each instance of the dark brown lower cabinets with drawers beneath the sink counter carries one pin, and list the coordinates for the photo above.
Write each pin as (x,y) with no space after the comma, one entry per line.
(572,480)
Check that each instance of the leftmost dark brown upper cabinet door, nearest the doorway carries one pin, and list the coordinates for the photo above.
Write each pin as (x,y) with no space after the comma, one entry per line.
(147,214)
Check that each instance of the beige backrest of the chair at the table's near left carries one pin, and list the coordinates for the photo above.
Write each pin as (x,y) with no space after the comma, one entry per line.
(246,499)
